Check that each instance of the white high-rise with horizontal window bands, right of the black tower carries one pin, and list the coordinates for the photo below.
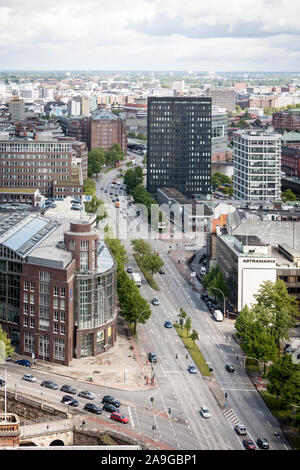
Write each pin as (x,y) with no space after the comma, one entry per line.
(257,166)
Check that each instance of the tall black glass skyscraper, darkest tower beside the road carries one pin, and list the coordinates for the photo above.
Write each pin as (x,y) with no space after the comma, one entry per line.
(179,145)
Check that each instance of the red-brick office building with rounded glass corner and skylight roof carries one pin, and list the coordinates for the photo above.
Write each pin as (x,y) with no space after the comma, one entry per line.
(57,287)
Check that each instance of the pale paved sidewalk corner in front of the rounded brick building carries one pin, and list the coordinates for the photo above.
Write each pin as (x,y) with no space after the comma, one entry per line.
(121,367)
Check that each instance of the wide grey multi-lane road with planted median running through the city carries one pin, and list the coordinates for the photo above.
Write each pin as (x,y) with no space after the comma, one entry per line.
(177,389)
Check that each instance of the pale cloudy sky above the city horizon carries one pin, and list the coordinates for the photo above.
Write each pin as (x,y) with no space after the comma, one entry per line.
(198,35)
